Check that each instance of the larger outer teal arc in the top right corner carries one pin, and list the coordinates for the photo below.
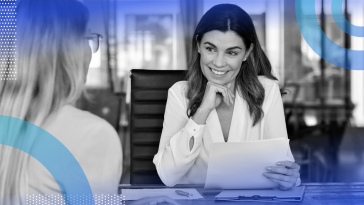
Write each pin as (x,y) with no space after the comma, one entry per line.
(311,30)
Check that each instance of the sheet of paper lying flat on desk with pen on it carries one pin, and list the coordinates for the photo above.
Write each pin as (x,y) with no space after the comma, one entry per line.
(135,194)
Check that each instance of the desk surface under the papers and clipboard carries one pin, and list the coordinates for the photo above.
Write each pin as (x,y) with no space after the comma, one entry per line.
(315,193)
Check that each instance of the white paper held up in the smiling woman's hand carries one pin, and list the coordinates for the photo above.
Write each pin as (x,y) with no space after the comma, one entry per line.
(240,165)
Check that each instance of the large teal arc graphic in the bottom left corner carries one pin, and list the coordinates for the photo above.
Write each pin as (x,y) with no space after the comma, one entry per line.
(49,151)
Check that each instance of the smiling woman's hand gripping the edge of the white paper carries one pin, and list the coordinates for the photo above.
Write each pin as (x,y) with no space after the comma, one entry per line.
(285,174)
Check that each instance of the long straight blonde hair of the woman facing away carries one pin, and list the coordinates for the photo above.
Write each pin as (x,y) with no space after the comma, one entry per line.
(50,73)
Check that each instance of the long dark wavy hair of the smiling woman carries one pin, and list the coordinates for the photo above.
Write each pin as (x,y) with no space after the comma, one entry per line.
(229,17)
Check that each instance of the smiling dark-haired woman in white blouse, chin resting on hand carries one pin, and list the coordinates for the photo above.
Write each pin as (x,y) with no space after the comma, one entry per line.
(231,96)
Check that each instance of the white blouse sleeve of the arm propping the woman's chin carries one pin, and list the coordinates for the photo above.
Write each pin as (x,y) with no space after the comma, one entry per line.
(174,158)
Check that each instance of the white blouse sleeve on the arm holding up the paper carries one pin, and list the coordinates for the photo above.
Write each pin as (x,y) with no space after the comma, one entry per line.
(275,123)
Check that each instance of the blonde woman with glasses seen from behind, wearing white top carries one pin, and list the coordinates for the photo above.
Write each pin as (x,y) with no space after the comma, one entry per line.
(53,55)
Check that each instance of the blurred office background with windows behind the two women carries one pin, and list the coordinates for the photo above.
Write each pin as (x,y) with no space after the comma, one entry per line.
(324,105)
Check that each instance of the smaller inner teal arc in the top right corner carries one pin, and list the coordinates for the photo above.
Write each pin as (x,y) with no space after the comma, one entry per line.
(347,27)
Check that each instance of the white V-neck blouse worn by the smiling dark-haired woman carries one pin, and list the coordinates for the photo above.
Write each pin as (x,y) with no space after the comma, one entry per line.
(175,162)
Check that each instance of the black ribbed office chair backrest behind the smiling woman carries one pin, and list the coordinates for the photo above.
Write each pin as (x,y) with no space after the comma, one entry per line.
(149,91)
